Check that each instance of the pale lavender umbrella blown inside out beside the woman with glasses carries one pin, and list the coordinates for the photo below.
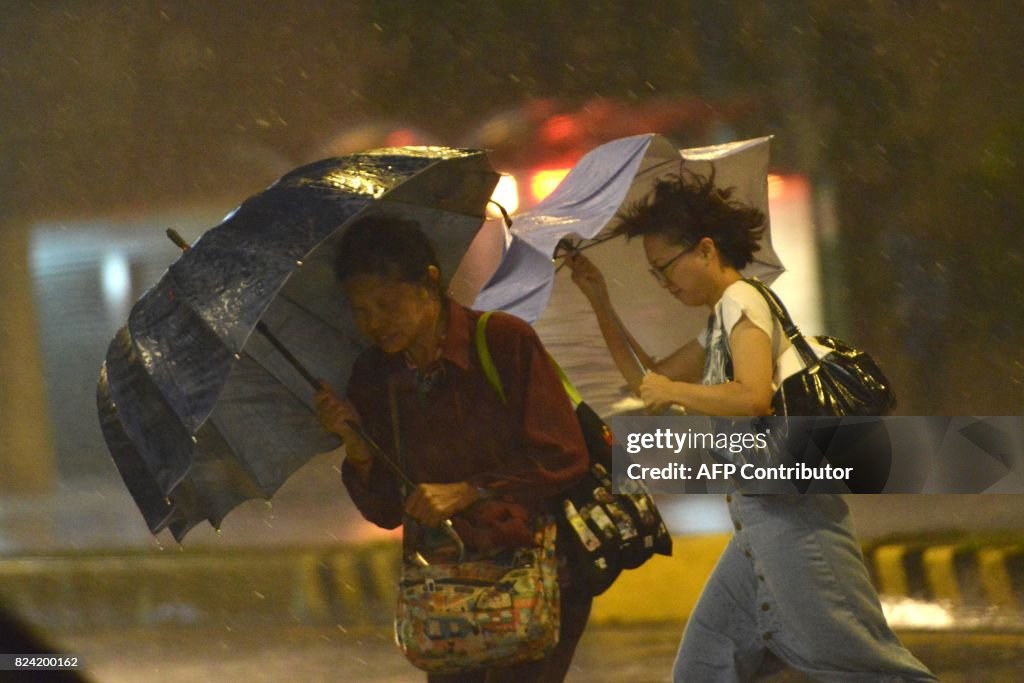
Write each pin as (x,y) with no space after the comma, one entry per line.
(582,210)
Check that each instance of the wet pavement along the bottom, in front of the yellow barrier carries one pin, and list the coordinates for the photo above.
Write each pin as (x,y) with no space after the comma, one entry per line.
(638,654)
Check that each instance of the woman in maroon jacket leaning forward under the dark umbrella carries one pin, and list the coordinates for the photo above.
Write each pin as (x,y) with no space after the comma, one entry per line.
(420,394)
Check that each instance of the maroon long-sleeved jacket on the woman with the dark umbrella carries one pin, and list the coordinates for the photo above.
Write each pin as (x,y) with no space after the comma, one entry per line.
(529,451)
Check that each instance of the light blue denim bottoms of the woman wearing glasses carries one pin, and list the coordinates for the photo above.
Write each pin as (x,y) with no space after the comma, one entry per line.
(792,588)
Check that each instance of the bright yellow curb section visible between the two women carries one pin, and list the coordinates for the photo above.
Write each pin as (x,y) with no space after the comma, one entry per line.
(665,589)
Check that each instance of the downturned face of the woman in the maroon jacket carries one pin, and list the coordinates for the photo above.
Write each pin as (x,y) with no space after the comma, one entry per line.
(391,314)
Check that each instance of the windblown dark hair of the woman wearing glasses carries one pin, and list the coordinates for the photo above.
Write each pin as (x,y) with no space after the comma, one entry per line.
(685,210)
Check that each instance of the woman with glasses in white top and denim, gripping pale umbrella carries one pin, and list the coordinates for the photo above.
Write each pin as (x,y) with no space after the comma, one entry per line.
(792,586)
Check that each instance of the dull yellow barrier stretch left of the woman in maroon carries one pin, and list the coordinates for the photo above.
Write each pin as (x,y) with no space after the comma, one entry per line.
(225,589)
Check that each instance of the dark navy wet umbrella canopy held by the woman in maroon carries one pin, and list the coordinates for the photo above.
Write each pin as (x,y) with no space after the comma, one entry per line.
(199,409)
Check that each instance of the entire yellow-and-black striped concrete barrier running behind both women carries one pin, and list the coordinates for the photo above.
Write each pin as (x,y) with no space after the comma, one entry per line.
(356,586)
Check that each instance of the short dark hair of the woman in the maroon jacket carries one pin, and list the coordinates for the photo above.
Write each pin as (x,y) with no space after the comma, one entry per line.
(386,246)
